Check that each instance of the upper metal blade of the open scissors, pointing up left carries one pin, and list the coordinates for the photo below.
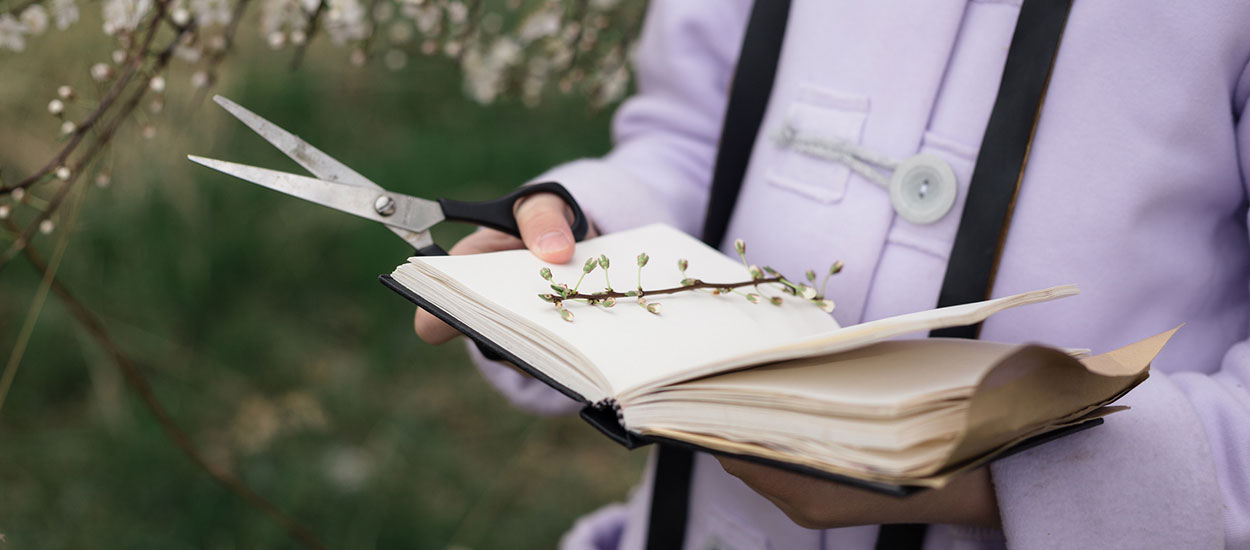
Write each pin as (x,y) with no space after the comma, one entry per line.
(313,159)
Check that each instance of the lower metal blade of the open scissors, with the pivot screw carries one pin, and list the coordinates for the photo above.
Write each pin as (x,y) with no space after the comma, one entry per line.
(408,213)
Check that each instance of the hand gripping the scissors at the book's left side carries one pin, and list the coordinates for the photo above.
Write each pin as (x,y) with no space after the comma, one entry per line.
(544,221)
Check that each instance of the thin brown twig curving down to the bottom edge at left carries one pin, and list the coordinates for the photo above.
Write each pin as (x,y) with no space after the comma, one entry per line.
(139,383)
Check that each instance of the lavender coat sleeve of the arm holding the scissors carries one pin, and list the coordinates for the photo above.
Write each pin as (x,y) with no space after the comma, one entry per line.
(666,146)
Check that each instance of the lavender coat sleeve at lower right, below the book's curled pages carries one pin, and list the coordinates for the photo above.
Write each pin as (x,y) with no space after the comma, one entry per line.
(1176,473)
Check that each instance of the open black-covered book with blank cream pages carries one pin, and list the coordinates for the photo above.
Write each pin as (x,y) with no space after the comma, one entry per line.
(784,384)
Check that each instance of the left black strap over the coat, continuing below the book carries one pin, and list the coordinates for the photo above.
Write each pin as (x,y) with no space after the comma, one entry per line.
(748,101)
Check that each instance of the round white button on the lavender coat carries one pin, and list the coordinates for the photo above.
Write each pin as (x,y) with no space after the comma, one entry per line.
(923,189)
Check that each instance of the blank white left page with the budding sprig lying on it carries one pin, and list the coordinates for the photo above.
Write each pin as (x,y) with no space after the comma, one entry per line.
(629,346)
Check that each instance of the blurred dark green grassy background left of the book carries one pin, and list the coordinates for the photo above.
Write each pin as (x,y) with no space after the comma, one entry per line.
(264,331)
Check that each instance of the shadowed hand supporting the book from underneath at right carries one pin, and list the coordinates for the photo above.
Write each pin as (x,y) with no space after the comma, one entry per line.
(818,504)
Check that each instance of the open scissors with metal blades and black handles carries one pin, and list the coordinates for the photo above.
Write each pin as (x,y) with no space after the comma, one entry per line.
(342,188)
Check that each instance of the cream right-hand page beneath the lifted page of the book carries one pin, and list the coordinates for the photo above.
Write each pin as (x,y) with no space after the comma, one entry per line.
(882,377)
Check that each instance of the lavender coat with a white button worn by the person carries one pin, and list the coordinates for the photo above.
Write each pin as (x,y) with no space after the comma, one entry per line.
(1136,191)
